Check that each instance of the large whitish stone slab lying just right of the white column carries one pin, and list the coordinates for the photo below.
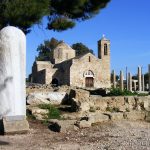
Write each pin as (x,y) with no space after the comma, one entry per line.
(45,97)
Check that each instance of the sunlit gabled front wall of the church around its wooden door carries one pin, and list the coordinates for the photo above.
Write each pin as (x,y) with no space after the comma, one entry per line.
(80,66)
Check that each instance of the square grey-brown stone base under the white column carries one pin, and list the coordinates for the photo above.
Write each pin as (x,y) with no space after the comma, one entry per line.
(13,125)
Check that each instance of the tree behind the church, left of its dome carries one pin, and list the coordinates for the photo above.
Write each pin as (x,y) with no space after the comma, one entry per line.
(46,50)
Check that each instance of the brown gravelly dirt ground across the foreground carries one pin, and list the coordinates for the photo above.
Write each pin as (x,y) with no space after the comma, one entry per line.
(120,135)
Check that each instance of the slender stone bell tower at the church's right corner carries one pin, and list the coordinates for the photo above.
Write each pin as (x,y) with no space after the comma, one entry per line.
(104,56)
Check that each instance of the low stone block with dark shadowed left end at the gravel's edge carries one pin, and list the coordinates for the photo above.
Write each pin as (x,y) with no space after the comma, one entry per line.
(61,125)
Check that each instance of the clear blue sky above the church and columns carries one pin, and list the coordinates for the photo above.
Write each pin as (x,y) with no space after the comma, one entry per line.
(125,22)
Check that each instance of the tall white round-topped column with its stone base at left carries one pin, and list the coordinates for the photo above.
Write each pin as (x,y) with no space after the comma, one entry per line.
(12,80)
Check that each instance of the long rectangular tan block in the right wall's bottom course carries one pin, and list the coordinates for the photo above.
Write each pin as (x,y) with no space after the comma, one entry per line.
(135,115)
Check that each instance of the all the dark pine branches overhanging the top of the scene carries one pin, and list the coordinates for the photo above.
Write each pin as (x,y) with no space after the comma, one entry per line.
(61,14)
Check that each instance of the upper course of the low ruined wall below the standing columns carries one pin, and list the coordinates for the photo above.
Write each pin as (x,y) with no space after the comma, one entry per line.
(120,103)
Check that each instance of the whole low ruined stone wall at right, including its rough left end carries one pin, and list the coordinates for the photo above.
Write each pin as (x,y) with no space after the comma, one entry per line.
(116,108)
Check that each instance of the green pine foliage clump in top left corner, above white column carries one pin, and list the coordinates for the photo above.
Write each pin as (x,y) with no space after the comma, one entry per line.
(22,13)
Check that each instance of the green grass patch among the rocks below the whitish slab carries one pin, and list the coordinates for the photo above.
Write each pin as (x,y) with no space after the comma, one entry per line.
(53,112)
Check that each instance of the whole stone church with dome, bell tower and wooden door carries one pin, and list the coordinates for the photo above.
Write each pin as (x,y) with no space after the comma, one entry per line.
(81,71)
